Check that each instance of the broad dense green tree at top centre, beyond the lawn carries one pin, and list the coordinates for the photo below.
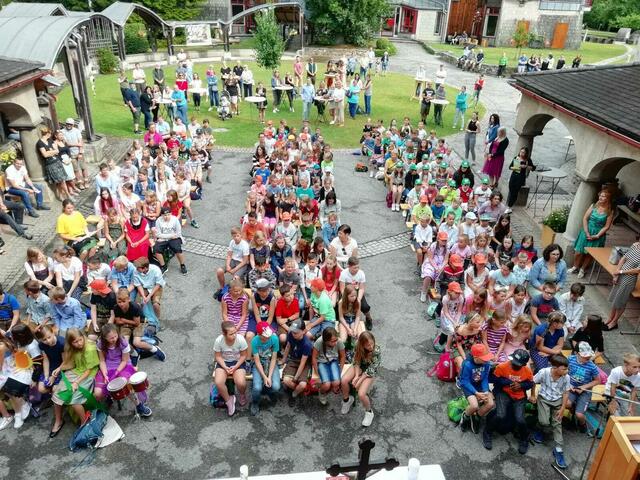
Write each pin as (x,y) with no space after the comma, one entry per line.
(357,21)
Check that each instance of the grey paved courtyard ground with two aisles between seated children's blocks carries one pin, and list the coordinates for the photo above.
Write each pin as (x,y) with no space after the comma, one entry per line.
(195,441)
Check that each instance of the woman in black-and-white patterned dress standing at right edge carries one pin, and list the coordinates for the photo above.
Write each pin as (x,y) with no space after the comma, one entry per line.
(624,280)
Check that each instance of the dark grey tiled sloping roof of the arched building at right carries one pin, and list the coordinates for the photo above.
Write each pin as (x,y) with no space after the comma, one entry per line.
(593,93)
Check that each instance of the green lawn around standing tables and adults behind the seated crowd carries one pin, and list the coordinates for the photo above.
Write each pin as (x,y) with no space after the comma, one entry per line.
(390,100)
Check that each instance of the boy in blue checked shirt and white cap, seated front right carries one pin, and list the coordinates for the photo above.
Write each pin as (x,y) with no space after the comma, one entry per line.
(584,376)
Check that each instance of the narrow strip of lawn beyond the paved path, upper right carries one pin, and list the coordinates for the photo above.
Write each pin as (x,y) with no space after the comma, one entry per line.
(591,52)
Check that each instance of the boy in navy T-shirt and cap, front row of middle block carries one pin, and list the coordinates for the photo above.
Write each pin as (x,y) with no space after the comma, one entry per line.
(297,354)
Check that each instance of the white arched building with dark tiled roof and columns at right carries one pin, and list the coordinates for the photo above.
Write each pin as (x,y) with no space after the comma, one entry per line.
(598,108)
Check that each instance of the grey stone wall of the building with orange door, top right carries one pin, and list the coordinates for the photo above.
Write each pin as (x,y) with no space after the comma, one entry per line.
(541,22)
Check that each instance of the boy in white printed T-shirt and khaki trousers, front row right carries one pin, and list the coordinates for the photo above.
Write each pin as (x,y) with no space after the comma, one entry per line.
(552,401)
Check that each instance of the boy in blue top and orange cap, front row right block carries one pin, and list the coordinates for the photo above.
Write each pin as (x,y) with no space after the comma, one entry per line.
(474,382)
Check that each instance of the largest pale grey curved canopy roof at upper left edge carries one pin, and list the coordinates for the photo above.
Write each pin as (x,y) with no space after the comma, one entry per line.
(38,39)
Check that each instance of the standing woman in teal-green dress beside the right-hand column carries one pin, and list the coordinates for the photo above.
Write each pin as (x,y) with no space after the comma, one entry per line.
(595,224)
